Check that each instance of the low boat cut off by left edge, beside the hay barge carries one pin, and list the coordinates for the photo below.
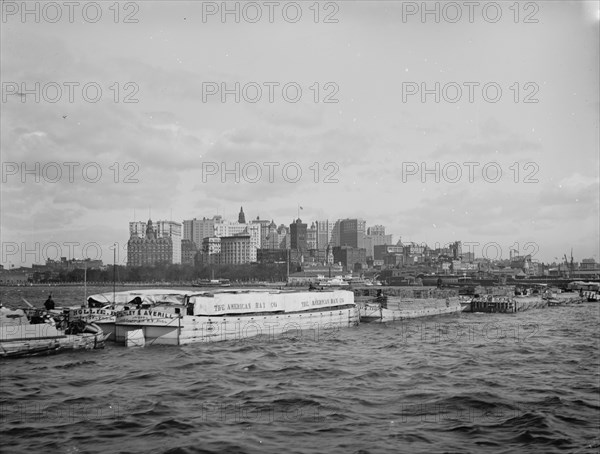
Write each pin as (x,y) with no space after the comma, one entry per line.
(35,332)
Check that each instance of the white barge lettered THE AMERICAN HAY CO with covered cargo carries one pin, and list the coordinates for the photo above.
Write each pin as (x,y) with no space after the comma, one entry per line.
(222,315)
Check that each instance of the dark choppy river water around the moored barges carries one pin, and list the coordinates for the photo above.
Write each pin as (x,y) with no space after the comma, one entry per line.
(526,382)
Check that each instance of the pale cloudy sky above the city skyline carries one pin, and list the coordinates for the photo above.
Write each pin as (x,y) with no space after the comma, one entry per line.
(473,125)
